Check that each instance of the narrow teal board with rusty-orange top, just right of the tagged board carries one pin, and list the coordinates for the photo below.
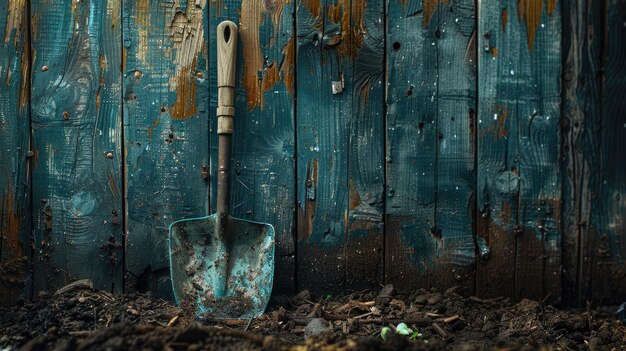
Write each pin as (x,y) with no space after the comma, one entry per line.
(366,153)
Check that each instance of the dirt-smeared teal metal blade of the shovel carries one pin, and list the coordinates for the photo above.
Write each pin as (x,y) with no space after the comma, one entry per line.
(225,275)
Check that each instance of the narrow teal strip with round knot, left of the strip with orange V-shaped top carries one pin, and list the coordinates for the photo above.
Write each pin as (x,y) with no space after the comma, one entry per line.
(499,45)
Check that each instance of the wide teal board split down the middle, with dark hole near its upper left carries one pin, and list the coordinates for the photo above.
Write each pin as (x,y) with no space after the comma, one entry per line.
(430,160)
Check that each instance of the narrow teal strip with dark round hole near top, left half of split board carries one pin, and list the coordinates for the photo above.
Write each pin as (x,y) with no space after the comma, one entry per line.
(413,247)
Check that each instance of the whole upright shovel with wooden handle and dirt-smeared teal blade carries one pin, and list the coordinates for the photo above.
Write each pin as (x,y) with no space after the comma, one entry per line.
(222,267)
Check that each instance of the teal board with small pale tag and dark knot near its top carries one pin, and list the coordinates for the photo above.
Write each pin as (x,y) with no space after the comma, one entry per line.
(323,57)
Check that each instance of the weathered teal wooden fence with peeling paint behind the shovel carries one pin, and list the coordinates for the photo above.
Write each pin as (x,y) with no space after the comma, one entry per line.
(423,143)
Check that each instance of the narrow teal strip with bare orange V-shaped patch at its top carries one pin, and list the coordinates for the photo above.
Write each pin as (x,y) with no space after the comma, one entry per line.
(538,105)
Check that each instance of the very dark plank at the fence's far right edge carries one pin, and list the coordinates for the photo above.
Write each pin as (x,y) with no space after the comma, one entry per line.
(608,219)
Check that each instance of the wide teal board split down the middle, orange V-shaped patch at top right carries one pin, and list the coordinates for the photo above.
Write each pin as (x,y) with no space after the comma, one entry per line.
(519,185)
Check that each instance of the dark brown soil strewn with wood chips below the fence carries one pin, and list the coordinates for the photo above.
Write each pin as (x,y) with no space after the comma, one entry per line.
(78,317)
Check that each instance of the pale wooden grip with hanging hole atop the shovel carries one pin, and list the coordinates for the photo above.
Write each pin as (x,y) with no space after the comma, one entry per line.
(226,59)
